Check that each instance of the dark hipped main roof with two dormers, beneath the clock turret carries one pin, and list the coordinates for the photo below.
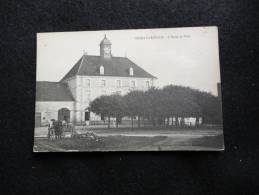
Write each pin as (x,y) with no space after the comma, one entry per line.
(114,66)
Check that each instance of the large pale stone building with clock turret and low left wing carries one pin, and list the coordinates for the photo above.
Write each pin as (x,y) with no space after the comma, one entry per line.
(89,78)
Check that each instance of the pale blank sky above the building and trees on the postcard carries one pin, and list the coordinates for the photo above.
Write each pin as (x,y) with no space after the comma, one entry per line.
(178,56)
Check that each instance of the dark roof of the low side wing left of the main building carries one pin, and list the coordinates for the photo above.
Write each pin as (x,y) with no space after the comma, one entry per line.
(52,91)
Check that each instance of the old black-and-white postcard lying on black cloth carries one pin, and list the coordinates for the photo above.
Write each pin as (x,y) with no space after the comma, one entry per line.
(128,90)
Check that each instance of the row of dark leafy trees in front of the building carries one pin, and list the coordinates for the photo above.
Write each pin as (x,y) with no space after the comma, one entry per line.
(158,105)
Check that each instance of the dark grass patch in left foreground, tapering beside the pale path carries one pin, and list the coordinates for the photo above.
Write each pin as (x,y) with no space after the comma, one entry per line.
(106,143)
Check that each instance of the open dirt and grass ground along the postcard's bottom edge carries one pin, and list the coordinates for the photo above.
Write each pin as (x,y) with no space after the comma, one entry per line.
(132,141)
